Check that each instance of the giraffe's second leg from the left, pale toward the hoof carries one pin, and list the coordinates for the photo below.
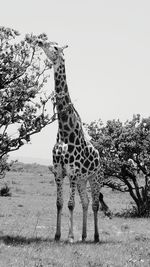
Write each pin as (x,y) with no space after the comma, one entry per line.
(71,205)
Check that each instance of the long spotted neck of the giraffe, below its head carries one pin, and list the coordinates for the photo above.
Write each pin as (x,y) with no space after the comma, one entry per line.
(68,118)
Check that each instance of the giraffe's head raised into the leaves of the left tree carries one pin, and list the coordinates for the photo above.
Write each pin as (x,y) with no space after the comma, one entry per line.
(52,50)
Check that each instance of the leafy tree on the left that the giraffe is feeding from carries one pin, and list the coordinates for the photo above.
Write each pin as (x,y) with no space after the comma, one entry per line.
(23,74)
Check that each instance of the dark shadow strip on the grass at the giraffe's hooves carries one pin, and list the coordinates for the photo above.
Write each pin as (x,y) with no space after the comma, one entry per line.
(21,240)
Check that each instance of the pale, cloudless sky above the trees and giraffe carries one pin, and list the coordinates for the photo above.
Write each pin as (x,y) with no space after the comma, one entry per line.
(107,61)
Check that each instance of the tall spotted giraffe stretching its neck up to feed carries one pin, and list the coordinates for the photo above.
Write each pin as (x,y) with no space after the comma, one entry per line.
(73,155)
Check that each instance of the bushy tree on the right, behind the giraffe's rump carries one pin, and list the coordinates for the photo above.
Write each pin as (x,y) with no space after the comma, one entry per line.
(125,157)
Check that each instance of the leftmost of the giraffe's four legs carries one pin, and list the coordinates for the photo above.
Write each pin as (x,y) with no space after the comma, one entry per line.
(59,204)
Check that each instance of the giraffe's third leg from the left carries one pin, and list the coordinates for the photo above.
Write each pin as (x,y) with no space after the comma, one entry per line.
(85,203)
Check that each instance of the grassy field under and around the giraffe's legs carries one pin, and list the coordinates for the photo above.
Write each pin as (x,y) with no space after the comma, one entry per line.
(27,227)
